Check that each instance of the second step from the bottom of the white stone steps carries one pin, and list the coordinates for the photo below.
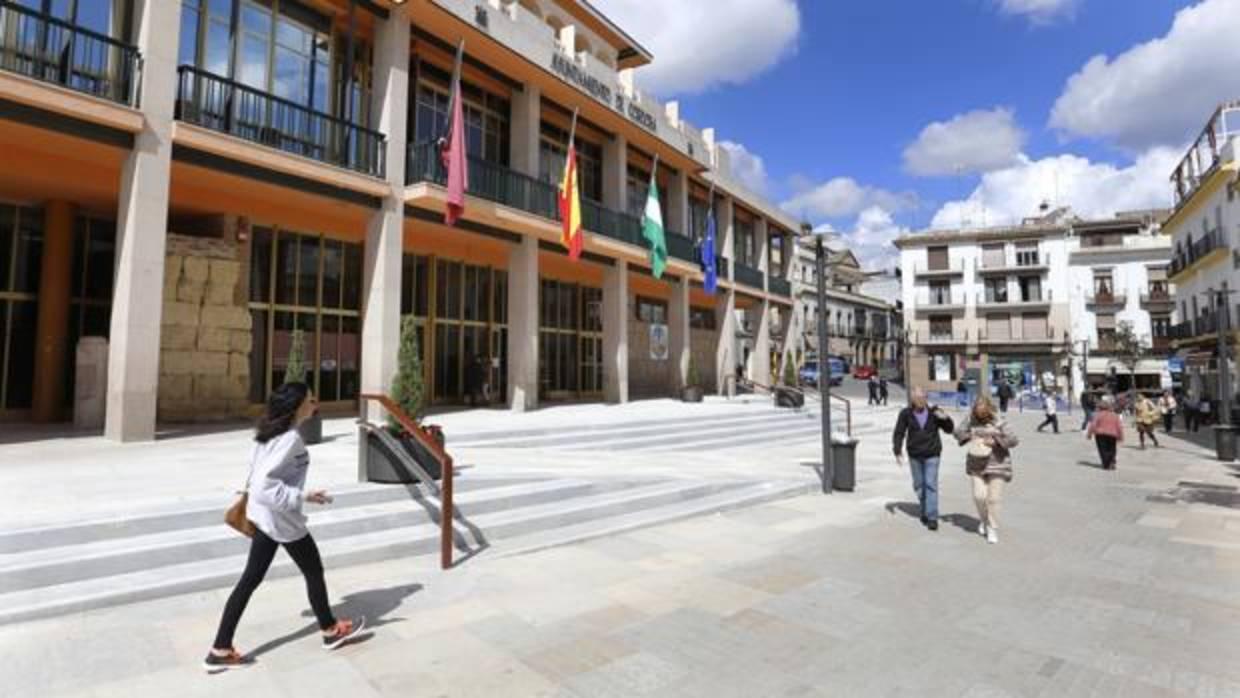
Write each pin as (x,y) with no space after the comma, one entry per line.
(61,565)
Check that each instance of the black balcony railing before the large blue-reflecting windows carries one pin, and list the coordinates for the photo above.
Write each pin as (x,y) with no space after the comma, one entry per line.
(229,107)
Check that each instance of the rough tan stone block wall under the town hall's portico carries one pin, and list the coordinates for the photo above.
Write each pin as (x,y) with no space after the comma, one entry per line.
(206,333)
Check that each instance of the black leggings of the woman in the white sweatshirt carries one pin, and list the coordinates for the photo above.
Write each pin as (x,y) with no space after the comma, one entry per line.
(262,552)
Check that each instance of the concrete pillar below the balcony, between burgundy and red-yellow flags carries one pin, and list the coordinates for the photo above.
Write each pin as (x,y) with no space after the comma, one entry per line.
(524,325)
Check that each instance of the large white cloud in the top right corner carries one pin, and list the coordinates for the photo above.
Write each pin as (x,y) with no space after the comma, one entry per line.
(1160,92)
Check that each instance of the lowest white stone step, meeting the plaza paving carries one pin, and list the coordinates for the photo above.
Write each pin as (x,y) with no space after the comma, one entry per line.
(406,541)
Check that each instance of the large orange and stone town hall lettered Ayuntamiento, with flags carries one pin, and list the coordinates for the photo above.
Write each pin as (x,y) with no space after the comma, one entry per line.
(197,180)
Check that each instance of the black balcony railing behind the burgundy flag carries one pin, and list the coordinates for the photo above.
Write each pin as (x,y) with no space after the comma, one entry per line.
(487,180)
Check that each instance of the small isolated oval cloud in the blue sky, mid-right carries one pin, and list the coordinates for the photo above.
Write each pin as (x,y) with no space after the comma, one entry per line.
(976,142)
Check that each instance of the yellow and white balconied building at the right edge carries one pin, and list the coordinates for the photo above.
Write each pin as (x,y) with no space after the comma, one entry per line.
(1206,268)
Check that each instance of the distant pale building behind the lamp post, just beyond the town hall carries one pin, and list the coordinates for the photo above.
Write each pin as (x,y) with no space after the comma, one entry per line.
(862,328)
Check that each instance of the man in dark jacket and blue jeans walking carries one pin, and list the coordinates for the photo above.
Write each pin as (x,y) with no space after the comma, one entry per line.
(917,431)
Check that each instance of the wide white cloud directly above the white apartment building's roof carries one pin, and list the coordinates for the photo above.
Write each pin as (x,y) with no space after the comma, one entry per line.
(1093,190)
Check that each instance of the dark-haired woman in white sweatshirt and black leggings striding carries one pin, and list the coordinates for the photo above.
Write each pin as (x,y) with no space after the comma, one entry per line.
(277,495)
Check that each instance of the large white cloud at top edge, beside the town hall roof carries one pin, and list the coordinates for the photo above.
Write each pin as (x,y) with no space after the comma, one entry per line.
(691,44)
